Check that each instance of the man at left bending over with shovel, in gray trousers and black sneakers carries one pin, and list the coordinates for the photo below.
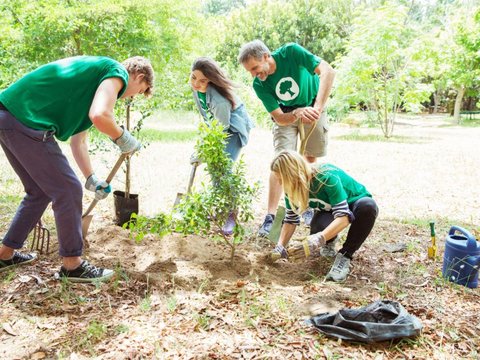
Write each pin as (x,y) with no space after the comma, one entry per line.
(62,100)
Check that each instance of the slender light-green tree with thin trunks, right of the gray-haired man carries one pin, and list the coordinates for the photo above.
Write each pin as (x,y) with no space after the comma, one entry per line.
(379,69)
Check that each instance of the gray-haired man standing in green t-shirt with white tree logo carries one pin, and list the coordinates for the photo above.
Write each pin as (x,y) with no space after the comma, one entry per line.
(294,86)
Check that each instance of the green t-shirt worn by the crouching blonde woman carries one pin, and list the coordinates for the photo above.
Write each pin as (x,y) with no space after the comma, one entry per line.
(330,186)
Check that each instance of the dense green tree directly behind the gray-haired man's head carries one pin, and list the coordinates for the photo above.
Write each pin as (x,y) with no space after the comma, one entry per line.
(319,26)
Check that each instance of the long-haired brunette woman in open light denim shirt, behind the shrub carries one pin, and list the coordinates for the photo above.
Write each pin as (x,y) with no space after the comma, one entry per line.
(215,99)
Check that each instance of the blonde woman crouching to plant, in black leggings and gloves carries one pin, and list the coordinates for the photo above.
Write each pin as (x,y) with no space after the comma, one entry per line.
(338,201)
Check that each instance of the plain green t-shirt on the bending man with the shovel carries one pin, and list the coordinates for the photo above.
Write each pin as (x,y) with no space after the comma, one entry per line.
(57,96)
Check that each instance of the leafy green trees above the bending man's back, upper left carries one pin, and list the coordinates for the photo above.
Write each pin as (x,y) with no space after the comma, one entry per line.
(165,31)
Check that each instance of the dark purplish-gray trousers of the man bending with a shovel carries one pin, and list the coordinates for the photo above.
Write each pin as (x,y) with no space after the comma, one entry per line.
(47,177)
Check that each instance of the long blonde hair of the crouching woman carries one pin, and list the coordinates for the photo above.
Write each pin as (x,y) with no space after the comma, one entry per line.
(296,174)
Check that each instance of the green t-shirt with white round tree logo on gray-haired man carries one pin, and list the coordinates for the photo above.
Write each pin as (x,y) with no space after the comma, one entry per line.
(294,82)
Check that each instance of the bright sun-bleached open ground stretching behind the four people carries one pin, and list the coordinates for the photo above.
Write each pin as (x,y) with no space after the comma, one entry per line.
(434,174)
